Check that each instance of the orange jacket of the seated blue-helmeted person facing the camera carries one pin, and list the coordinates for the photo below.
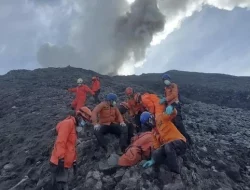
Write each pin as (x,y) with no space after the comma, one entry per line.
(106,114)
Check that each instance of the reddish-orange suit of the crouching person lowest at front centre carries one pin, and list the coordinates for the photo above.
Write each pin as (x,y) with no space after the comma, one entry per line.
(140,149)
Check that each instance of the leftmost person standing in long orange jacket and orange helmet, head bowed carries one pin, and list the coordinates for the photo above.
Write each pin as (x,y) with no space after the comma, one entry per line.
(63,156)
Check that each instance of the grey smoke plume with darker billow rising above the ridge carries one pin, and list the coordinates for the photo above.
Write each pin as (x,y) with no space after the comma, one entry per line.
(106,34)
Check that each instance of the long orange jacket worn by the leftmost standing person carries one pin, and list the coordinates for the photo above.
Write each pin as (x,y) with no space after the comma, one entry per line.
(65,144)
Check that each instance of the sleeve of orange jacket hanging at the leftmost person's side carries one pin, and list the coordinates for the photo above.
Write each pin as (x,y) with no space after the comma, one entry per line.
(61,140)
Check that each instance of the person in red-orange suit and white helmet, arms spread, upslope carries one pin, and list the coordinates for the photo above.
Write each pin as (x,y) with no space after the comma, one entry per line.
(81,92)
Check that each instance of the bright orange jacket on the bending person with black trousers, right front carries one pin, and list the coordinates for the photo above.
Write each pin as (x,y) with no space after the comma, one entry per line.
(165,131)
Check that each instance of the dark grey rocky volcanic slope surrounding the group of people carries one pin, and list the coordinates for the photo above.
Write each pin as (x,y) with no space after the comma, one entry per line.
(32,102)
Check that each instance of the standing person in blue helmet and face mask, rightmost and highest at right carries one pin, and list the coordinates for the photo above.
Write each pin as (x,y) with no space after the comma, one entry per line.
(172,98)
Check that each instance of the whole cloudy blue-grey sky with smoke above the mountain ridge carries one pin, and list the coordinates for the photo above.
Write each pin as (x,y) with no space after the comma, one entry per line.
(112,36)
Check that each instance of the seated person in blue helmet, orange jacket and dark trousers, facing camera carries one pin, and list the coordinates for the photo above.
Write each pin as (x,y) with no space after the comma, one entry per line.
(104,118)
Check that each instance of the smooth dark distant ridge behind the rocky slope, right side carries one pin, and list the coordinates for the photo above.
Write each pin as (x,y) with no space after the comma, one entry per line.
(223,90)
